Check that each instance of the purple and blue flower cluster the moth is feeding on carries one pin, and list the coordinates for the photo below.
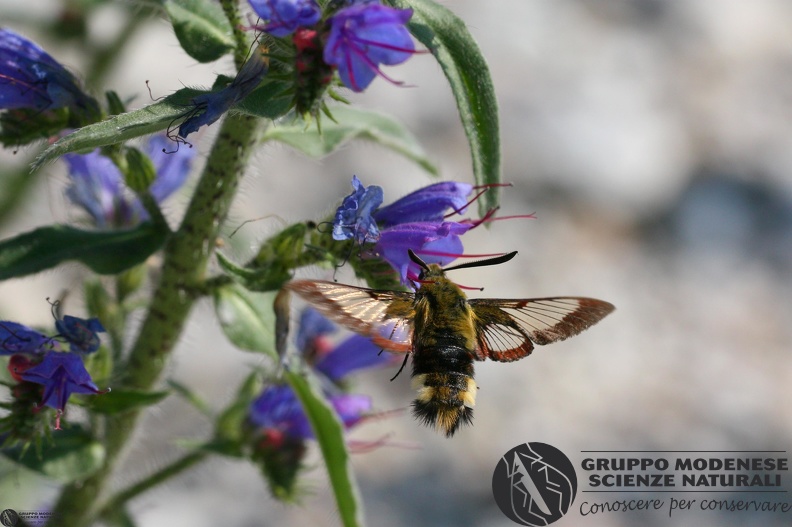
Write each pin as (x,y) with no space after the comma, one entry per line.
(416,221)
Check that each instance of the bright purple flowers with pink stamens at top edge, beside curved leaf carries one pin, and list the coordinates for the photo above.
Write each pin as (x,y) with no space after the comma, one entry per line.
(357,38)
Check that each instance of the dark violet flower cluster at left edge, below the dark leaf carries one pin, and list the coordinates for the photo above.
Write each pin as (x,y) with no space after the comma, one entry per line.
(39,359)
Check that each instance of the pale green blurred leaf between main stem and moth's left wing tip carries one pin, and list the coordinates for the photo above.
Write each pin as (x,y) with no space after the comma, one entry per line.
(246,318)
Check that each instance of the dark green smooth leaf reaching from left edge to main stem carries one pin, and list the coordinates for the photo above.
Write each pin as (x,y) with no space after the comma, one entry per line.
(105,252)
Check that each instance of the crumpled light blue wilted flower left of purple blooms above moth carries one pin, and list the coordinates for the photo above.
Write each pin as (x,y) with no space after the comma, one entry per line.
(354,218)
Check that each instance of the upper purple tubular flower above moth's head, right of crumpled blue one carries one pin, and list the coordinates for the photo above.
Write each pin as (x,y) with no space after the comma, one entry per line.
(430,203)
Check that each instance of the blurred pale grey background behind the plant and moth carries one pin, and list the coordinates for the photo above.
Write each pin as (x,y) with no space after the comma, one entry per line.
(653,140)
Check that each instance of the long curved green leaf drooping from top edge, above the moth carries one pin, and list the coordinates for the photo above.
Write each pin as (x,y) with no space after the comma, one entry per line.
(449,40)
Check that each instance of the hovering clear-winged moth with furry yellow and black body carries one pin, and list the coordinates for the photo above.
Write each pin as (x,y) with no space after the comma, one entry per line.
(445,331)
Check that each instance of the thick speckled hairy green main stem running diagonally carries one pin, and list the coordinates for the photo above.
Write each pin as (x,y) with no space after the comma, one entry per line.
(185,258)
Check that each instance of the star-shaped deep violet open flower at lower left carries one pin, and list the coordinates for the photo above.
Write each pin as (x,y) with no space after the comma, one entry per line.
(62,374)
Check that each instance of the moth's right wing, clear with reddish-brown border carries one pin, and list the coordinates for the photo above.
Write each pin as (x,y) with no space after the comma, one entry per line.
(508,329)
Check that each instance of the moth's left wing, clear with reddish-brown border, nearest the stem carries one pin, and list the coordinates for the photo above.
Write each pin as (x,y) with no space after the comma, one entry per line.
(378,314)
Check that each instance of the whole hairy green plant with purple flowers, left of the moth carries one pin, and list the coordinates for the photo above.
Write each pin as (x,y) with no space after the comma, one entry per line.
(78,391)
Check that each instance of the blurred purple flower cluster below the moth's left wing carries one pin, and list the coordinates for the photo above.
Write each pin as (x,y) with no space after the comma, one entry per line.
(281,425)
